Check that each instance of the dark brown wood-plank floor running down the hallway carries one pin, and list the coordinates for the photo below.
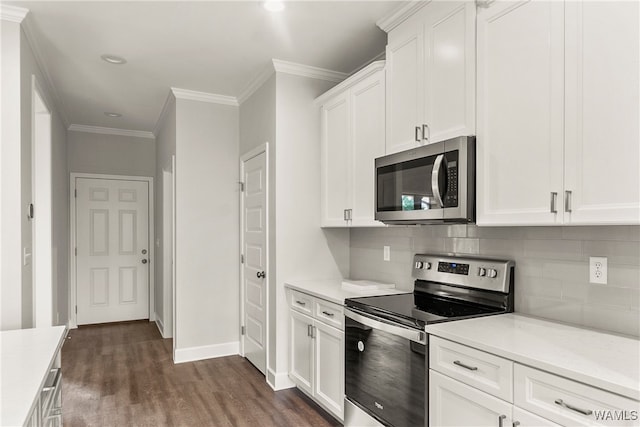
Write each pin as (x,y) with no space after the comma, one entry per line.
(122,375)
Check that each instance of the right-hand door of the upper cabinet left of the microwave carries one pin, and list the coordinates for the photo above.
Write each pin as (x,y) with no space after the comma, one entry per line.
(367,141)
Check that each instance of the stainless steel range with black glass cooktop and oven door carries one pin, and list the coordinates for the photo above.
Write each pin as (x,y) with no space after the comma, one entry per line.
(386,357)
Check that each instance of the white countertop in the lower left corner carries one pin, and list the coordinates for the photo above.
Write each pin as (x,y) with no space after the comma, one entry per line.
(25,357)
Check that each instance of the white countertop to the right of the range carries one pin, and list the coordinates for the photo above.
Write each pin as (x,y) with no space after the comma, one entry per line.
(607,361)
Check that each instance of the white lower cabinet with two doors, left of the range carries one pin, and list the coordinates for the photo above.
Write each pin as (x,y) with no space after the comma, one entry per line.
(316,345)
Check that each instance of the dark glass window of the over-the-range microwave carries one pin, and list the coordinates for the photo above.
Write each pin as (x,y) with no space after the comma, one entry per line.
(406,186)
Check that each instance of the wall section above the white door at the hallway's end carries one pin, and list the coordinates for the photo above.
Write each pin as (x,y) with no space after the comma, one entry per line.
(111,154)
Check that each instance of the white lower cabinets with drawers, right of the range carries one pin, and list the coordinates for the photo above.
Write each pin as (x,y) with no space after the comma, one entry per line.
(462,392)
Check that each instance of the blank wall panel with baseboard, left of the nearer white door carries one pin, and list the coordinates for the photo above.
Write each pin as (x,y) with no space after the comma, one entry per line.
(207,227)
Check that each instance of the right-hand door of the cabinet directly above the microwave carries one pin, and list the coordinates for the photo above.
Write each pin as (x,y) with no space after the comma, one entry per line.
(450,69)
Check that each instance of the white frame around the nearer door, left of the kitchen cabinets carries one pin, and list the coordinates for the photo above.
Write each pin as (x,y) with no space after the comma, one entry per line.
(263,148)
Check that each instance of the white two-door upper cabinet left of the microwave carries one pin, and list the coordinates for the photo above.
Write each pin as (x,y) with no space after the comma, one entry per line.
(353,122)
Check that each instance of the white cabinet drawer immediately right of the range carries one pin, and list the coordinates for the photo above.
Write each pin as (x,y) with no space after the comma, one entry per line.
(481,370)
